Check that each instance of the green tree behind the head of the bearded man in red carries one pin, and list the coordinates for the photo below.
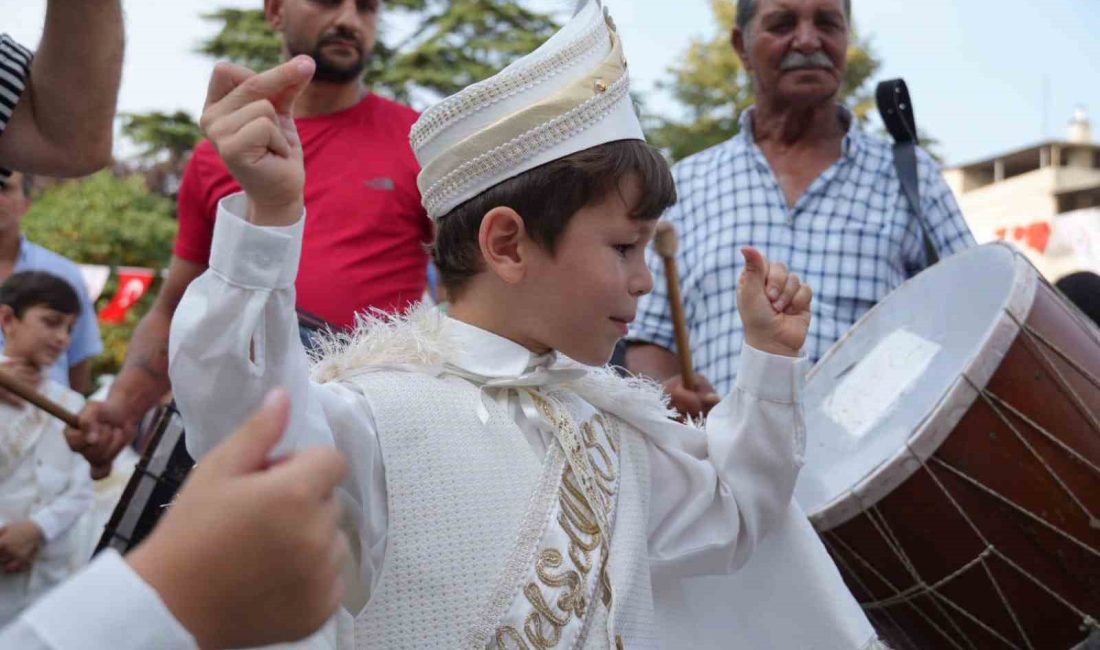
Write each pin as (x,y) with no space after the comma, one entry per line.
(453,45)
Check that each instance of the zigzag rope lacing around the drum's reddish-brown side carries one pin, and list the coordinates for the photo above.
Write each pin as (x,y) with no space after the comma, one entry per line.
(921,589)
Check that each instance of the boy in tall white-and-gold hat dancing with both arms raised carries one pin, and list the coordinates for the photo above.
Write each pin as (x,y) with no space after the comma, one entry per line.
(505,491)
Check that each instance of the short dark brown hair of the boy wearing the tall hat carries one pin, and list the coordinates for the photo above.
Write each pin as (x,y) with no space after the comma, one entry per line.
(547,199)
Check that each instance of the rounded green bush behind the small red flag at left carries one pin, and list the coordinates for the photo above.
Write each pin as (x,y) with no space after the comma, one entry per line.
(105,219)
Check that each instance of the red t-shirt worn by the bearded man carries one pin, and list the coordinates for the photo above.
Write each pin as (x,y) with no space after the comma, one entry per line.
(366,227)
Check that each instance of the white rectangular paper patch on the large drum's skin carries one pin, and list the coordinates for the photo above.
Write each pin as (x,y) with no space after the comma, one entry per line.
(871,390)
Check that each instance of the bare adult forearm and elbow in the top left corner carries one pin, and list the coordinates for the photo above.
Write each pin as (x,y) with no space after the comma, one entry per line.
(62,124)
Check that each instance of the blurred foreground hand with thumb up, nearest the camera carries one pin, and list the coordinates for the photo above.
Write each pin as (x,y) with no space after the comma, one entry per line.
(250,553)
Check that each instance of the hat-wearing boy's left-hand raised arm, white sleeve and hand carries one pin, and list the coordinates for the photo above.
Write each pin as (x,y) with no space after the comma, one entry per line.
(235,334)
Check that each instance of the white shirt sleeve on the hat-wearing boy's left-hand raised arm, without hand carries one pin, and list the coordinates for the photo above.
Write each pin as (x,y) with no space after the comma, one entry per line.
(246,302)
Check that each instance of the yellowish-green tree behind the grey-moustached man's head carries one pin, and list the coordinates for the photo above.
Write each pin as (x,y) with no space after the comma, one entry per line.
(713,89)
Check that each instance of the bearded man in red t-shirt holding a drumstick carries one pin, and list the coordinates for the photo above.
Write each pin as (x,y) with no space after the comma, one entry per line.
(366,228)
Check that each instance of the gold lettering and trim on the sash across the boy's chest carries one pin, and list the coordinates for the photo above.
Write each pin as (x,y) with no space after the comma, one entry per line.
(543,629)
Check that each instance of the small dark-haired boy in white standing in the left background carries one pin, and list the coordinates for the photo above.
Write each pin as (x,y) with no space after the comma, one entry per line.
(45,487)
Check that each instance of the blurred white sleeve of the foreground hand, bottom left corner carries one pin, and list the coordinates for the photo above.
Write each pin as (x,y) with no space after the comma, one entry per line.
(78,616)
